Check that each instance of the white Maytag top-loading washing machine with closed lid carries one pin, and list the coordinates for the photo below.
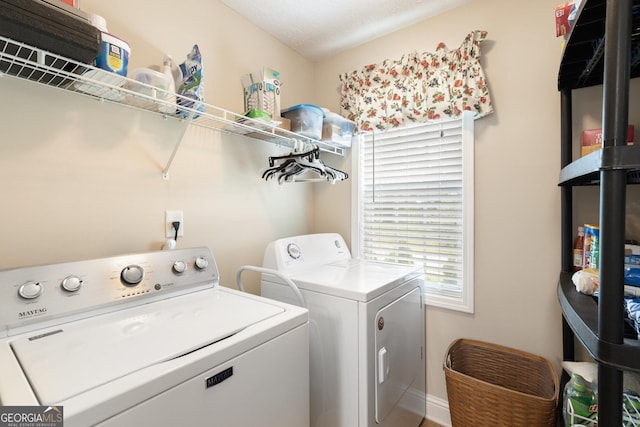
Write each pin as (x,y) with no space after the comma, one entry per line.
(150,340)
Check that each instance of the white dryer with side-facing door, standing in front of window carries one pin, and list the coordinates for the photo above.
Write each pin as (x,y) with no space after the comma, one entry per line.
(367,336)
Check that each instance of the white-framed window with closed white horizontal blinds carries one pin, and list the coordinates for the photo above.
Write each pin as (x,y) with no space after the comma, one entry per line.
(415,205)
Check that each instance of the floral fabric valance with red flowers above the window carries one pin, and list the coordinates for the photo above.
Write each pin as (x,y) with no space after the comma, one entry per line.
(419,87)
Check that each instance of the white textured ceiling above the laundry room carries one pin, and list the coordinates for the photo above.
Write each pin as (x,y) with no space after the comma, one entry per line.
(319,28)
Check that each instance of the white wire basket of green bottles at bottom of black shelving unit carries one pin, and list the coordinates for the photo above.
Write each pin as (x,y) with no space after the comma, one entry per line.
(580,397)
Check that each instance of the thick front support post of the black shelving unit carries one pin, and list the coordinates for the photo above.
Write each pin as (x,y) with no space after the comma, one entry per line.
(613,183)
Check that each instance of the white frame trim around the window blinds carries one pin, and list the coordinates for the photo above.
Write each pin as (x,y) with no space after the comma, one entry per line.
(433,296)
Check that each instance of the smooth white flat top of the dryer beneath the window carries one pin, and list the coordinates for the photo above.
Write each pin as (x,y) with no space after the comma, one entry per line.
(354,278)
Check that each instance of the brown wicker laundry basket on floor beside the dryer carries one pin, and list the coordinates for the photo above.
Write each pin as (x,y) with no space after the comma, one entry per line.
(492,385)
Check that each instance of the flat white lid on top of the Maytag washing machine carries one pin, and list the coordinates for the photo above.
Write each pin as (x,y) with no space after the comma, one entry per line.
(73,358)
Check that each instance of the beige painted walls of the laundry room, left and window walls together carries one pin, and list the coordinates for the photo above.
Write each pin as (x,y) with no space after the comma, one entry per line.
(82,179)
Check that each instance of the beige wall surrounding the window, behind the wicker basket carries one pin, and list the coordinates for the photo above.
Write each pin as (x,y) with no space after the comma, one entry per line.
(517,242)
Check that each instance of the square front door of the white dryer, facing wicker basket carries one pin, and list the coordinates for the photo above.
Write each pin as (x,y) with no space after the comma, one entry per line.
(398,340)
